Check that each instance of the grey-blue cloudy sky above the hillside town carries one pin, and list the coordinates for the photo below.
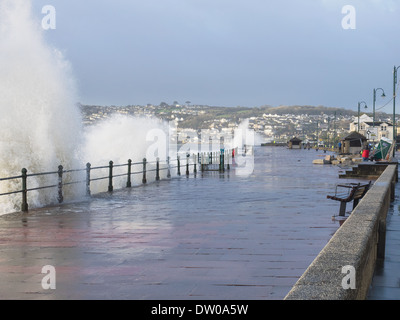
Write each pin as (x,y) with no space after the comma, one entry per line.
(228,52)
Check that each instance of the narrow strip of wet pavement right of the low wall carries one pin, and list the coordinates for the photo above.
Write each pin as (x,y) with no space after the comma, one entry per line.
(386,281)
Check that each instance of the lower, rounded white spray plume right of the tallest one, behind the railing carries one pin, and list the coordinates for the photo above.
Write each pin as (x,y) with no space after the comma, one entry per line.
(123,137)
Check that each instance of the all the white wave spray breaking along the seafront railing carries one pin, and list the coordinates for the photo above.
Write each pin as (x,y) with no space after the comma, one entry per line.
(41,125)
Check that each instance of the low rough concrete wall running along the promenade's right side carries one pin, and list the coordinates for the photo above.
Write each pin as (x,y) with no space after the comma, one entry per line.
(357,244)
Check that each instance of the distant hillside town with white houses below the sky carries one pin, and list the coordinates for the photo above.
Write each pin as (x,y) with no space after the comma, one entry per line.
(312,125)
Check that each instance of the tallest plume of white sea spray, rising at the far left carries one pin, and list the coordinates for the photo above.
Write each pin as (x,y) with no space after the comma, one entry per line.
(40,122)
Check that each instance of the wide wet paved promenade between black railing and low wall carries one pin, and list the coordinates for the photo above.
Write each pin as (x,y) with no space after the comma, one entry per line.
(213,236)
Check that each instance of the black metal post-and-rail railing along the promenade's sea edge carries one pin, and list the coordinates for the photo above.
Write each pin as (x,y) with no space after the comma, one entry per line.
(207,161)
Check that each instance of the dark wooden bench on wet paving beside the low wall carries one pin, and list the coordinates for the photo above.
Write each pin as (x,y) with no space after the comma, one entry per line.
(351,192)
